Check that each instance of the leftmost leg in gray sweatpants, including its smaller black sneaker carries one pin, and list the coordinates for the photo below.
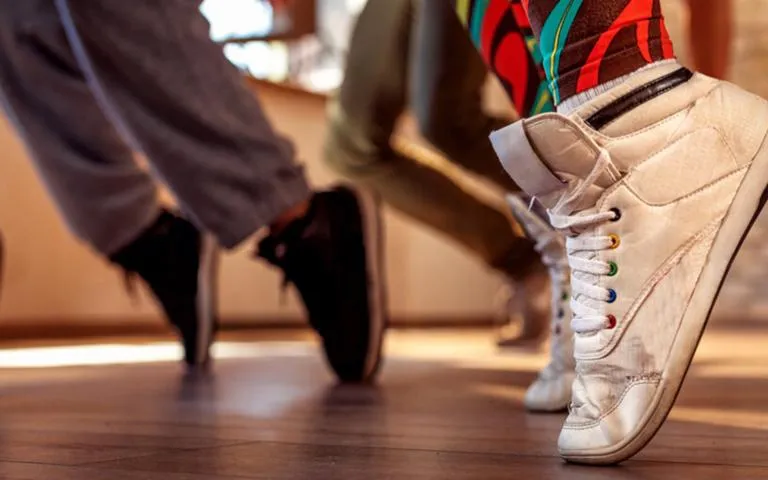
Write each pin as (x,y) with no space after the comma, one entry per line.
(104,196)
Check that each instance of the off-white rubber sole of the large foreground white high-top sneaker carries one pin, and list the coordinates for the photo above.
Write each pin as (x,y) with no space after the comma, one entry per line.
(745,208)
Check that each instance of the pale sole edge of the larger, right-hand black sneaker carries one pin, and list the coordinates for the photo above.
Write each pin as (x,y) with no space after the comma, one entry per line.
(377,285)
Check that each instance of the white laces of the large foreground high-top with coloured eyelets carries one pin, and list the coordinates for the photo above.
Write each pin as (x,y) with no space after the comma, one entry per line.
(582,245)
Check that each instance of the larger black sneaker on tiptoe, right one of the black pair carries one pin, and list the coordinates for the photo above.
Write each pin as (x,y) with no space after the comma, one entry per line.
(334,257)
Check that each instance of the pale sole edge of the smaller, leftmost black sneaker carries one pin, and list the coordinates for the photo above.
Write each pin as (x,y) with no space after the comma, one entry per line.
(207,296)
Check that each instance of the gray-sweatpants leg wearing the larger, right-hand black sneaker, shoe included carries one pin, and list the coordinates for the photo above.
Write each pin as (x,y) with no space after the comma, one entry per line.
(157,74)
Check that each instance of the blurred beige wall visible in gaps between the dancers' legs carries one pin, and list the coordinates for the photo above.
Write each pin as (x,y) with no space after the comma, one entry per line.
(51,276)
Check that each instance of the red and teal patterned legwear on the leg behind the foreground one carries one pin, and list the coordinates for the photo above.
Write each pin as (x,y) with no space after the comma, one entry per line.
(501,32)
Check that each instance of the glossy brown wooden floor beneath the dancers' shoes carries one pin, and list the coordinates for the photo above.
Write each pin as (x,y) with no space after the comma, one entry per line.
(447,407)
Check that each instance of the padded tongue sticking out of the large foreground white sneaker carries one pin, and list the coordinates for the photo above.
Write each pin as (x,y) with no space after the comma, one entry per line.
(546,154)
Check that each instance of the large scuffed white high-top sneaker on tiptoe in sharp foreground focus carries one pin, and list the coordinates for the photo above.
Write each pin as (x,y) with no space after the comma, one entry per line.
(656,183)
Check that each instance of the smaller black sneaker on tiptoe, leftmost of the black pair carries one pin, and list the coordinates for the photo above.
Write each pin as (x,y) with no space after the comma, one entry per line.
(179,264)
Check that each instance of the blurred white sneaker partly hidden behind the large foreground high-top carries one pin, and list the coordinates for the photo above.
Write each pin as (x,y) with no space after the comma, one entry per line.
(551,392)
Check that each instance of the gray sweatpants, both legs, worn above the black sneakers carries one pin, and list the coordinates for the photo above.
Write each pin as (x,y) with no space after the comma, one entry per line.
(89,83)
